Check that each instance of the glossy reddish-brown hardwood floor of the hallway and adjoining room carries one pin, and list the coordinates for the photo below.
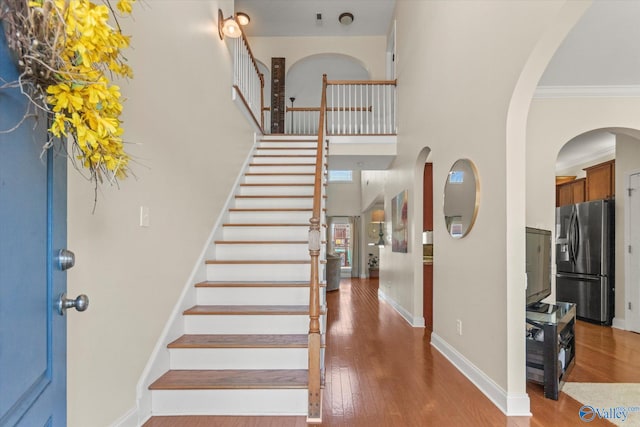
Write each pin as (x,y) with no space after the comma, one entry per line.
(382,372)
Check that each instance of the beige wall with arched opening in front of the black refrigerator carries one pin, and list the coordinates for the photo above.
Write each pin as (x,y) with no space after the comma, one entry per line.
(552,123)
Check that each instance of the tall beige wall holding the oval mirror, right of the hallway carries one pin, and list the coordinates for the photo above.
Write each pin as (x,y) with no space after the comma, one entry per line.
(464,86)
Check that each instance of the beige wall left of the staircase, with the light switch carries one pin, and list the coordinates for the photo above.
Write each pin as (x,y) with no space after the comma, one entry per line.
(188,142)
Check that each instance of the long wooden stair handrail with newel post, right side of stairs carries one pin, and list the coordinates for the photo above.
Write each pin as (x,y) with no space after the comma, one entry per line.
(315,395)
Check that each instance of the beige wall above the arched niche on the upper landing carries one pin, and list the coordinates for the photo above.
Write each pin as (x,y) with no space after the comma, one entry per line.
(369,50)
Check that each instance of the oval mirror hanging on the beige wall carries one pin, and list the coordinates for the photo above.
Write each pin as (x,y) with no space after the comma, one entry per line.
(461,198)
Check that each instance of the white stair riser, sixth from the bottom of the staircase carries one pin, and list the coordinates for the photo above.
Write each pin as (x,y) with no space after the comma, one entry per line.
(265,252)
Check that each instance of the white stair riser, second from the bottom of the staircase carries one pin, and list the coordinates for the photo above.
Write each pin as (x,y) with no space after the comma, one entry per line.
(239,358)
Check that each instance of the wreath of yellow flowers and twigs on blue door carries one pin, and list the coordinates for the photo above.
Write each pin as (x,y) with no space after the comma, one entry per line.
(66,51)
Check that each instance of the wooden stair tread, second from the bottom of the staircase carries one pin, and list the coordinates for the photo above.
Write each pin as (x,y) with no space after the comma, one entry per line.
(242,341)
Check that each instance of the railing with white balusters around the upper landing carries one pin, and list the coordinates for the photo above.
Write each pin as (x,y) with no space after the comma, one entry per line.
(353,107)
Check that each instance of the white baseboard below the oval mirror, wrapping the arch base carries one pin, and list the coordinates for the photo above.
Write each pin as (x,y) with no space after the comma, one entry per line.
(513,405)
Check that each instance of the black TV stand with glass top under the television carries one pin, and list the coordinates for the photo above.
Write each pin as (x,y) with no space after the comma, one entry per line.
(551,346)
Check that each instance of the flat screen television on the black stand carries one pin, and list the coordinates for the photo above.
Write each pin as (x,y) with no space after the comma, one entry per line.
(538,267)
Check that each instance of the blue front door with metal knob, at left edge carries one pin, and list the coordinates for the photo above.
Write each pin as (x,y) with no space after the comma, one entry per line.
(32,232)
